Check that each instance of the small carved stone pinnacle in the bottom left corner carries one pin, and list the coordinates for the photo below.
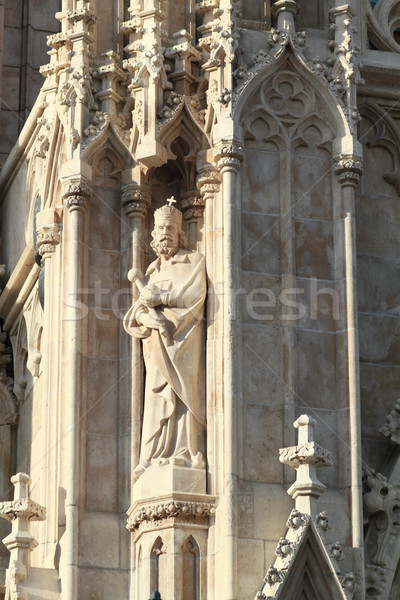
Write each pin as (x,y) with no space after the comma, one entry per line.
(20,542)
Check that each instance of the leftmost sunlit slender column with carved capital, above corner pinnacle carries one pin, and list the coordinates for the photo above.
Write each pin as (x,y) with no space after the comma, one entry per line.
(48,238)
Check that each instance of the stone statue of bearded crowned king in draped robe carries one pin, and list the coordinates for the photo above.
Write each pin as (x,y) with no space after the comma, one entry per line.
(169,317)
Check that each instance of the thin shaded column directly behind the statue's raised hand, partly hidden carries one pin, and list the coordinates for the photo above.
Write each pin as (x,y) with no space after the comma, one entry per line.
(136,201)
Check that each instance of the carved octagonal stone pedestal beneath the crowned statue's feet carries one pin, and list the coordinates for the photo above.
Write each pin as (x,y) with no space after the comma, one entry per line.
(170,534)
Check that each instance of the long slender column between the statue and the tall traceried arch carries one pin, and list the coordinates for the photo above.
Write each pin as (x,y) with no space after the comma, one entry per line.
(228,157)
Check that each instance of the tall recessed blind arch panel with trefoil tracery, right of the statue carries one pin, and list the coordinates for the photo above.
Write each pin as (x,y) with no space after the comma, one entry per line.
(291,256)
